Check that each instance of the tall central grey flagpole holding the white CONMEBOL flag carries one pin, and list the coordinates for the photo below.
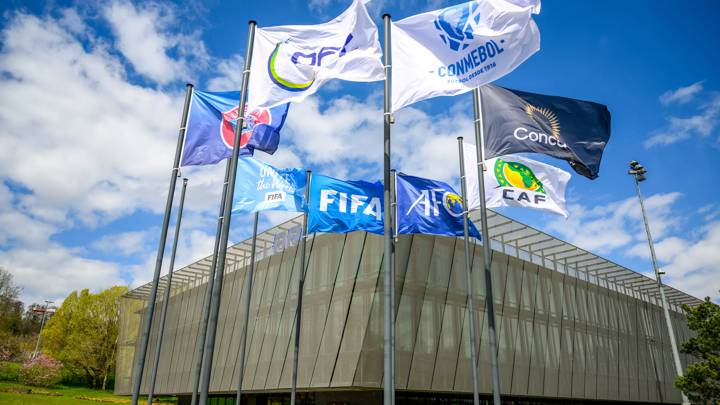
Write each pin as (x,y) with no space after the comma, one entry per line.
(389,385)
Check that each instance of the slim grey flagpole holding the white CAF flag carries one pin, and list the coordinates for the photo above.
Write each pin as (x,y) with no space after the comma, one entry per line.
(468,272)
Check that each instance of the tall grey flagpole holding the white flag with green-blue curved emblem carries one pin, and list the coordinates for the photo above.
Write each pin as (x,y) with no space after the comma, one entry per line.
(225,230)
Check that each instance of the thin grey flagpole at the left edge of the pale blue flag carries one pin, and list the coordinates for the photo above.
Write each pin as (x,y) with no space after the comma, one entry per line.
(200,349)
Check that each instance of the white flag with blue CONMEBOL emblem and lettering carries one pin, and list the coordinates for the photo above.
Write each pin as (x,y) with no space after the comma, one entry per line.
(456,49)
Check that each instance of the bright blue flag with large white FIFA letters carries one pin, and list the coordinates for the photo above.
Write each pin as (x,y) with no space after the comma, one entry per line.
(345,206)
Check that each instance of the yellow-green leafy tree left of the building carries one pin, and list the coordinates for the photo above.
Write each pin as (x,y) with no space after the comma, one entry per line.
(83,334)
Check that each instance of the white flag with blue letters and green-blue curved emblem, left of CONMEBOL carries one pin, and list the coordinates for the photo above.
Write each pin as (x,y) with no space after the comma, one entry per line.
(291,62)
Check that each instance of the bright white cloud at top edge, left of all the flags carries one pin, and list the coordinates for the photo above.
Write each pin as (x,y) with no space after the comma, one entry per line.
(142,35)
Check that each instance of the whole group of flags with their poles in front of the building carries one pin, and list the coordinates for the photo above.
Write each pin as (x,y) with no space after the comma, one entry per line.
(444,52)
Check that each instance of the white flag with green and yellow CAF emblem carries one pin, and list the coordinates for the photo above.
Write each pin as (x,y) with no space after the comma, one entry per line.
(514,181)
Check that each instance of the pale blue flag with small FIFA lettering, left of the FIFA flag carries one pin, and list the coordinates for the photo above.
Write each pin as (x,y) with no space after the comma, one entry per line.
(260,187)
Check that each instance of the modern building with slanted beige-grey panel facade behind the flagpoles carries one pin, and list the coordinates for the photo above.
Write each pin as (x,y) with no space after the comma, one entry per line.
(572,327)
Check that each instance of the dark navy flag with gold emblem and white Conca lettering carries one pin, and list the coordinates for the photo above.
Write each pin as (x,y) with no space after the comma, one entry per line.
(573,130)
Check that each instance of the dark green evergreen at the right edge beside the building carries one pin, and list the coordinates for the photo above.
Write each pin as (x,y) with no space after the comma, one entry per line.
(701,381)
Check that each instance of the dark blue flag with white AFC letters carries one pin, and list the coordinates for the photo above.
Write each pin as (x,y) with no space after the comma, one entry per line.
(429,207)
